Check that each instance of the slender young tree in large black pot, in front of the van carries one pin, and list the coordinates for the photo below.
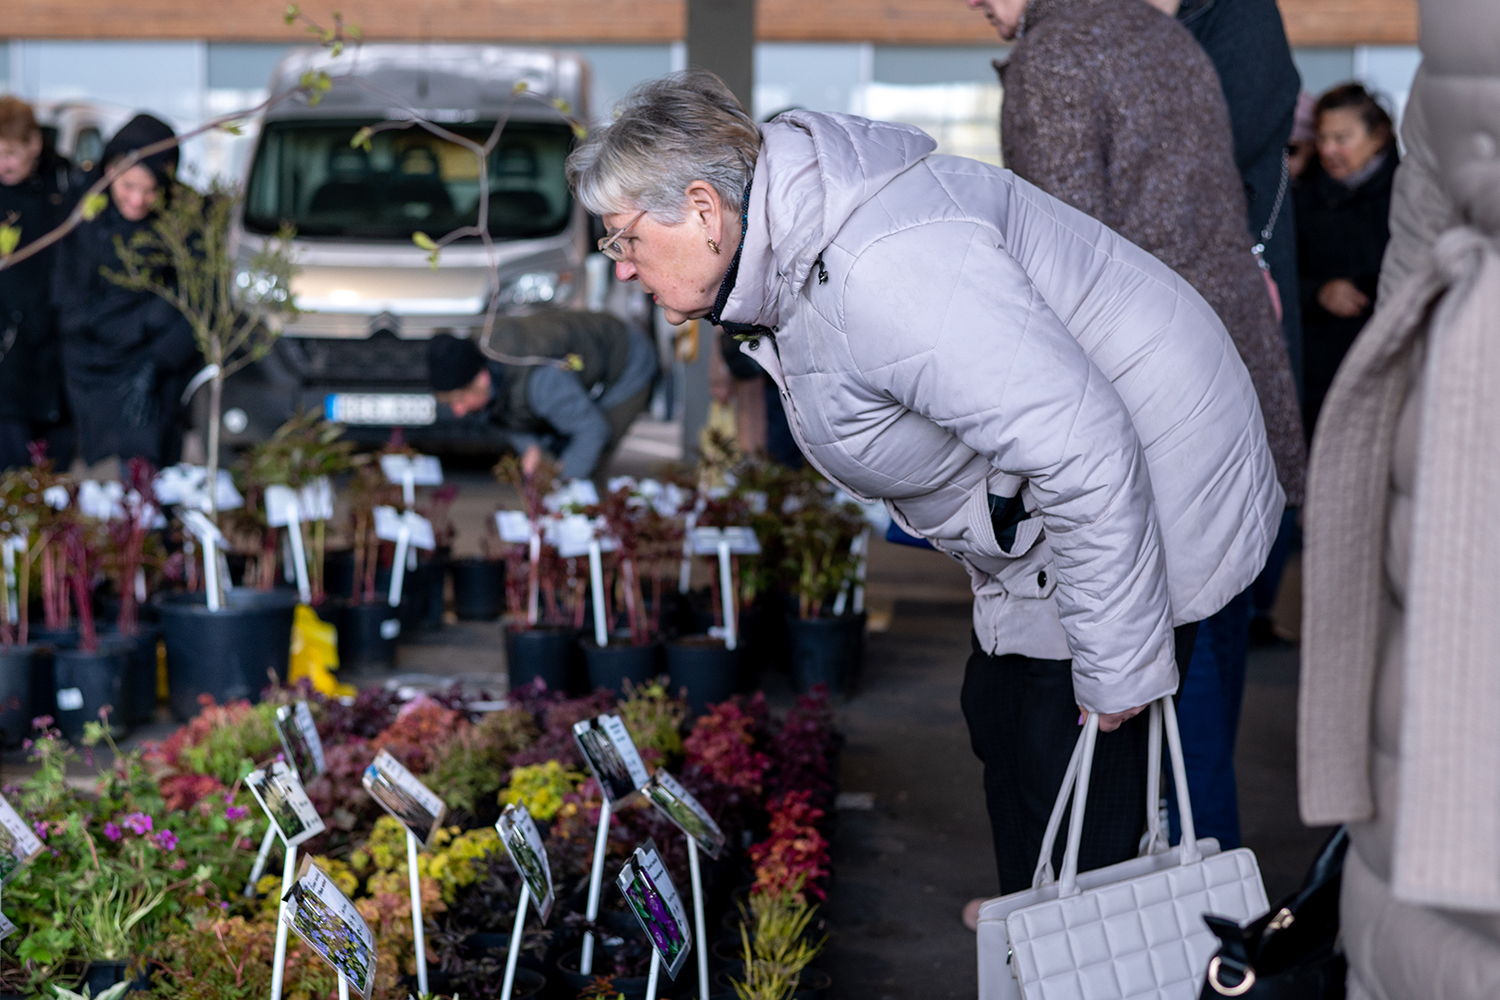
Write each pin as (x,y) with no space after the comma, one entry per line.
(236,310)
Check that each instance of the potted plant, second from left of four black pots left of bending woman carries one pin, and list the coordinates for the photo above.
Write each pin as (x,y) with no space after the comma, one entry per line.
(644,539)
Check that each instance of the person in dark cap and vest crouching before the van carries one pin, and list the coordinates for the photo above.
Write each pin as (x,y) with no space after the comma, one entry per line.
(578,383)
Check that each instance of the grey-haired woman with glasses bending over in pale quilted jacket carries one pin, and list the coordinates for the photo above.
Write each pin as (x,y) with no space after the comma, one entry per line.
(1025,389)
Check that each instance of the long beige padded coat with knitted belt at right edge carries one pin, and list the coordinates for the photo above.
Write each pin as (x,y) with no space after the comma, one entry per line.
(1400,707)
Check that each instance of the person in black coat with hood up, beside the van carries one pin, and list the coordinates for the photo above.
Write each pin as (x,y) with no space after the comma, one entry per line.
(128,355)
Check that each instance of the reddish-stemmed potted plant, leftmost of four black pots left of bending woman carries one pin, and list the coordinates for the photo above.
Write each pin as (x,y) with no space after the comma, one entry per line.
(545,603)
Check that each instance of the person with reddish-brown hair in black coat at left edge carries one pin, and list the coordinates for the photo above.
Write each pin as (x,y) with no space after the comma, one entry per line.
(35,199)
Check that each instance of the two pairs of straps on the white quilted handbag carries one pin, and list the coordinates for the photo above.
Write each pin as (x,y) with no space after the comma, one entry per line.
(1076,782)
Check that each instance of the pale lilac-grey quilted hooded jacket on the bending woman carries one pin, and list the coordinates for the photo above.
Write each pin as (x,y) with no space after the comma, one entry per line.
(947,332)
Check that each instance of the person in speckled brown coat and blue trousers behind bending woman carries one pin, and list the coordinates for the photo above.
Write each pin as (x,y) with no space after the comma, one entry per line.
(1112,107)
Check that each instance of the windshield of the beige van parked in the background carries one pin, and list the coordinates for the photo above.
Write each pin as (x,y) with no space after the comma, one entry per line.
(410,181)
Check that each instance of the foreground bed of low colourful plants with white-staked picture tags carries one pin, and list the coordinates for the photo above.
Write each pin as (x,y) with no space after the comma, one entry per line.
(142,878)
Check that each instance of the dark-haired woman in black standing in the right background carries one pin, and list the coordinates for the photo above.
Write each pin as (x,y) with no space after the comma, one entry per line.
(1343,206)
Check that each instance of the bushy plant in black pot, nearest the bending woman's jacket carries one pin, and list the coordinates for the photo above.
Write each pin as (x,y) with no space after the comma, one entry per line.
(826,639)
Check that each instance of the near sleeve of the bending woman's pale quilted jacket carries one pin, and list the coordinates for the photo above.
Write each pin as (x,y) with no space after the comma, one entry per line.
(949,325)
